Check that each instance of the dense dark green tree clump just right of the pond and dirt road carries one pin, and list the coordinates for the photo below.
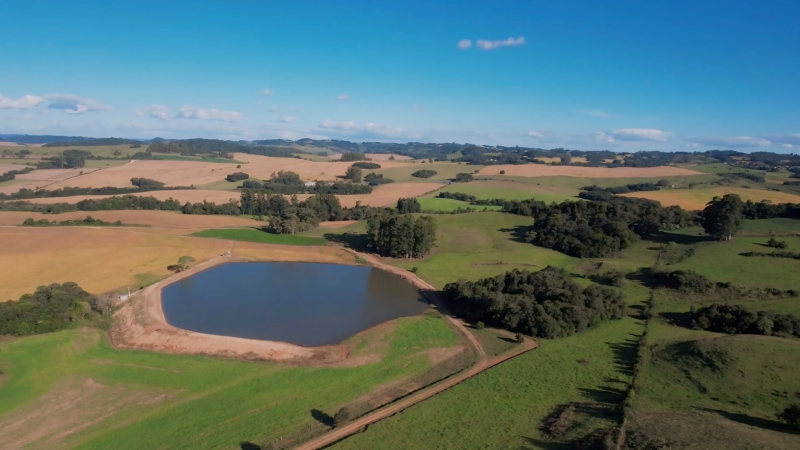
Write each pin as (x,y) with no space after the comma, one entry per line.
(546,304)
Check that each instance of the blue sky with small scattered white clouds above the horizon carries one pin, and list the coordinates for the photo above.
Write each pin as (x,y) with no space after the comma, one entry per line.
(619,75)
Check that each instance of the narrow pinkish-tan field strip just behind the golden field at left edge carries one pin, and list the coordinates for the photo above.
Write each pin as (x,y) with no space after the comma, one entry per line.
(158,219)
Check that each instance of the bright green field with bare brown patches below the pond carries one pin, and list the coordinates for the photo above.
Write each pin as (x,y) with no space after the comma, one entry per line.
(77,392)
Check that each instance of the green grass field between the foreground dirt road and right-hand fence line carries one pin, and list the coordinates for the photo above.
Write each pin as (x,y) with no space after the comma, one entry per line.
(505,406)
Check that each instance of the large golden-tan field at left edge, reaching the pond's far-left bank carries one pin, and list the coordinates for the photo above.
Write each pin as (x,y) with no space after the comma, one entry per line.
(98,259)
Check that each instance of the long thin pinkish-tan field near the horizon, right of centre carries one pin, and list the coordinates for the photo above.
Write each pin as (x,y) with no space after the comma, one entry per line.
(539,170)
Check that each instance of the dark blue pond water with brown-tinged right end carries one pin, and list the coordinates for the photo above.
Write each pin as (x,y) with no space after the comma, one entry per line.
(301,303)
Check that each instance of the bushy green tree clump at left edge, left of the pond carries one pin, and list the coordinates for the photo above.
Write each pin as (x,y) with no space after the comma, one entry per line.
(50,308)
